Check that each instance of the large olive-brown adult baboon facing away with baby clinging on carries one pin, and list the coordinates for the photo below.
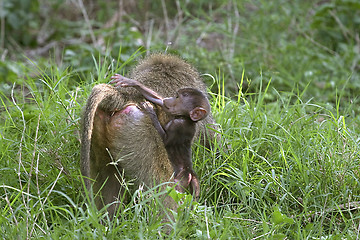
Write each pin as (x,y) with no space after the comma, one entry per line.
(118,139)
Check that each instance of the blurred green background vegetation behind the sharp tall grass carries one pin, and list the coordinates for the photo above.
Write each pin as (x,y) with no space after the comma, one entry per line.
(293,43)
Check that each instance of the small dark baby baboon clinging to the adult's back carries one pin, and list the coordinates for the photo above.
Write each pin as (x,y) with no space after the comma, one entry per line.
(187,107)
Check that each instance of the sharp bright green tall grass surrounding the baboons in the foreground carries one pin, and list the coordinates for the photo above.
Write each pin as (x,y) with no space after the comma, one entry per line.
(288,168)
